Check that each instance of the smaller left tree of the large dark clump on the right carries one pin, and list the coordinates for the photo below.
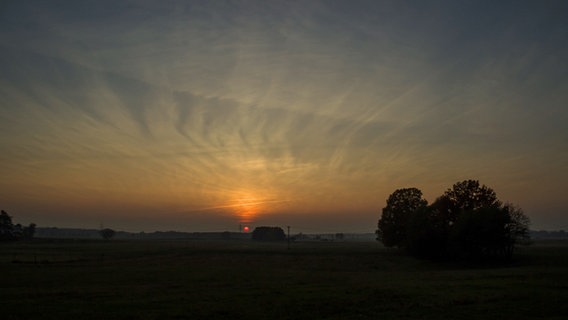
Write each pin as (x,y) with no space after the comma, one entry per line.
(393,223)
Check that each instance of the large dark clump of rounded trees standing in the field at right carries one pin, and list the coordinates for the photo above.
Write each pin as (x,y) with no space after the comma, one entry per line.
(467,221)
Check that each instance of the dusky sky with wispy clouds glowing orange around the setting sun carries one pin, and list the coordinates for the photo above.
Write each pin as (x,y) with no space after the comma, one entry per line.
(204,115)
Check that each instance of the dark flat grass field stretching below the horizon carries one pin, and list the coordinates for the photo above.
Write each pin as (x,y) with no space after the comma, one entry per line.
(48,279)
